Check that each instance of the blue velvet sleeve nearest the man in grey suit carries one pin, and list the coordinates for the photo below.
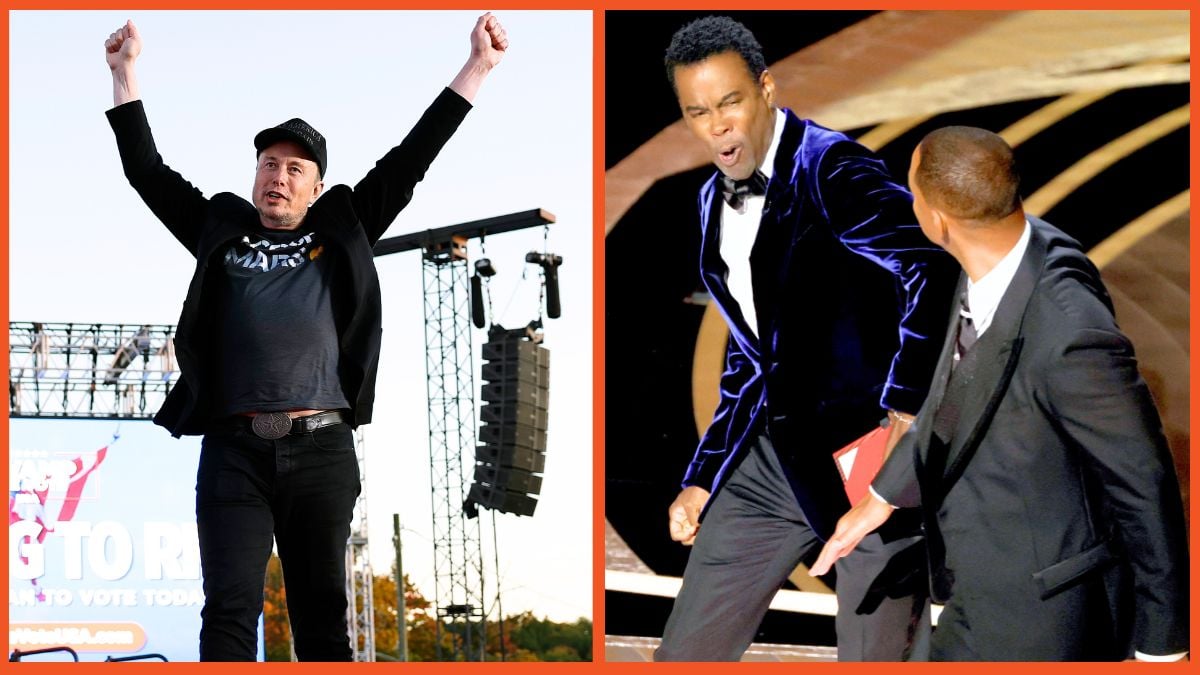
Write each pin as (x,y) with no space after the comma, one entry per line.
(873,217)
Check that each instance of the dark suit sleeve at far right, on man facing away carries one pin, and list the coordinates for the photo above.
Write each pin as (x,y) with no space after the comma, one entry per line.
(1106,410)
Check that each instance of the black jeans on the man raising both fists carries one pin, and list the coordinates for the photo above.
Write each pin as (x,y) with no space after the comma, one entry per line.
(302,491)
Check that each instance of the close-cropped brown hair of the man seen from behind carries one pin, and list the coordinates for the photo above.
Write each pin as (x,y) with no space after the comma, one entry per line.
(969,174)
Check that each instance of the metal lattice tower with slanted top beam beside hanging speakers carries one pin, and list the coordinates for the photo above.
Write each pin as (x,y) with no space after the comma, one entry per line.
(458,557)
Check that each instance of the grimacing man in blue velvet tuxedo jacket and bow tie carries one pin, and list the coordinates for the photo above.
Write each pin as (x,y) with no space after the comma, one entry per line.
(811,253)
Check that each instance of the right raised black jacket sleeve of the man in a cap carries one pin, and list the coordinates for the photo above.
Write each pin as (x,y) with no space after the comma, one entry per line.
(388,187)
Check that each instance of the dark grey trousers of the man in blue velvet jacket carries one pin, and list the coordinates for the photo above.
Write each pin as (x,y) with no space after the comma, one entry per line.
(753,537)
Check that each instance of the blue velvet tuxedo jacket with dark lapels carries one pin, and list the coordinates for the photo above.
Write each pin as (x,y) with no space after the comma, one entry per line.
(838,262)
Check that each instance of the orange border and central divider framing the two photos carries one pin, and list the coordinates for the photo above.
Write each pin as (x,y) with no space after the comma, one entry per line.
(598,8)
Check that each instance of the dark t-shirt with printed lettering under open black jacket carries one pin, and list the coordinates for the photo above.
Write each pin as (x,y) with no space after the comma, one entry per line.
(279,337)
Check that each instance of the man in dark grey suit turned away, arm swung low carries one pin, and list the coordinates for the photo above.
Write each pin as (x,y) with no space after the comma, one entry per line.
(1054,522)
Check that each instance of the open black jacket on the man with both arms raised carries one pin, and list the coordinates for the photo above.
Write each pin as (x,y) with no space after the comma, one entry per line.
(352,220)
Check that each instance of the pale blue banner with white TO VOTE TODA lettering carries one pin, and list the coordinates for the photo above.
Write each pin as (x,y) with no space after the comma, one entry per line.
(103,548)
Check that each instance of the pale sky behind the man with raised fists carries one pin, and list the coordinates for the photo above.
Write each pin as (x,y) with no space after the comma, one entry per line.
(83,248)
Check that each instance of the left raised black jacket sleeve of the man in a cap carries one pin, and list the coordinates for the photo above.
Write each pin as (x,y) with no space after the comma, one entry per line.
(181,206)
